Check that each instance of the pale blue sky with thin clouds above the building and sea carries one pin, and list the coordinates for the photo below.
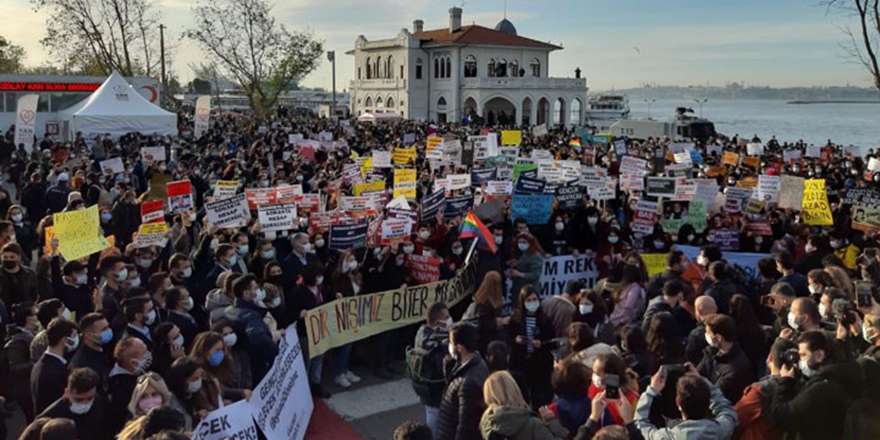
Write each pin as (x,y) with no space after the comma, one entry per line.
(617,43)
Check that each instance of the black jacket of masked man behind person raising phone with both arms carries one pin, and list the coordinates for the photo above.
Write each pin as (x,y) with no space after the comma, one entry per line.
(731,372)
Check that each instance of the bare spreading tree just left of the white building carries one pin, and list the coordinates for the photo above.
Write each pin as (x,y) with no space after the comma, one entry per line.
(244,41)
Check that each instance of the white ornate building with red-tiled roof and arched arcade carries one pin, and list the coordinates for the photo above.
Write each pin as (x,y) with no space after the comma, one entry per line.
(448,74)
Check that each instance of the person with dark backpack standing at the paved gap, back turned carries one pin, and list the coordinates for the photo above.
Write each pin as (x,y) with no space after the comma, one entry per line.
(426,361)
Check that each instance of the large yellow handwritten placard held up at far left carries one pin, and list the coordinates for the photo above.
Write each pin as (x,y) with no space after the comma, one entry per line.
(79,233)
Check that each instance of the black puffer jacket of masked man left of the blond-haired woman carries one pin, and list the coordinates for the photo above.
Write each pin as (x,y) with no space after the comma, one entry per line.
(462,405)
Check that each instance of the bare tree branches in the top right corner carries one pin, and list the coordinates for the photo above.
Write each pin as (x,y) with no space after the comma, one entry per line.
(864,42)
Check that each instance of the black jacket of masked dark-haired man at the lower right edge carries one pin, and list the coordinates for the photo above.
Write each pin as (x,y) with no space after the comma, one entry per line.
(816,411)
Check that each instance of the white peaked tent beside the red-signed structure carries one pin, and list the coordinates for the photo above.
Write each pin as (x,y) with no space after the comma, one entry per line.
(116,108)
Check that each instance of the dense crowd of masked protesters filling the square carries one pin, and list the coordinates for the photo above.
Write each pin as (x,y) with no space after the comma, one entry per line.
(141,343)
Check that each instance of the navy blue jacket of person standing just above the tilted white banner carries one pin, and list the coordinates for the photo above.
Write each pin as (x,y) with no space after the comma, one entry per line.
(247,321)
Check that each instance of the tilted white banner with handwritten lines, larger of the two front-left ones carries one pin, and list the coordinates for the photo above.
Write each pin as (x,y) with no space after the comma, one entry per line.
(282,403)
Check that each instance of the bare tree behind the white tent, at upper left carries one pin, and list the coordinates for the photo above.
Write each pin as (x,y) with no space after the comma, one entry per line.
(103,35)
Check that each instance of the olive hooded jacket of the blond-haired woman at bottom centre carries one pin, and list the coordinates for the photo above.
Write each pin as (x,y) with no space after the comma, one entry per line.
(516,423)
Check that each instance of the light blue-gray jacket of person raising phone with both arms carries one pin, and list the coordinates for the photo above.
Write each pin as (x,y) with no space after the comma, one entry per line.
(719,427)
